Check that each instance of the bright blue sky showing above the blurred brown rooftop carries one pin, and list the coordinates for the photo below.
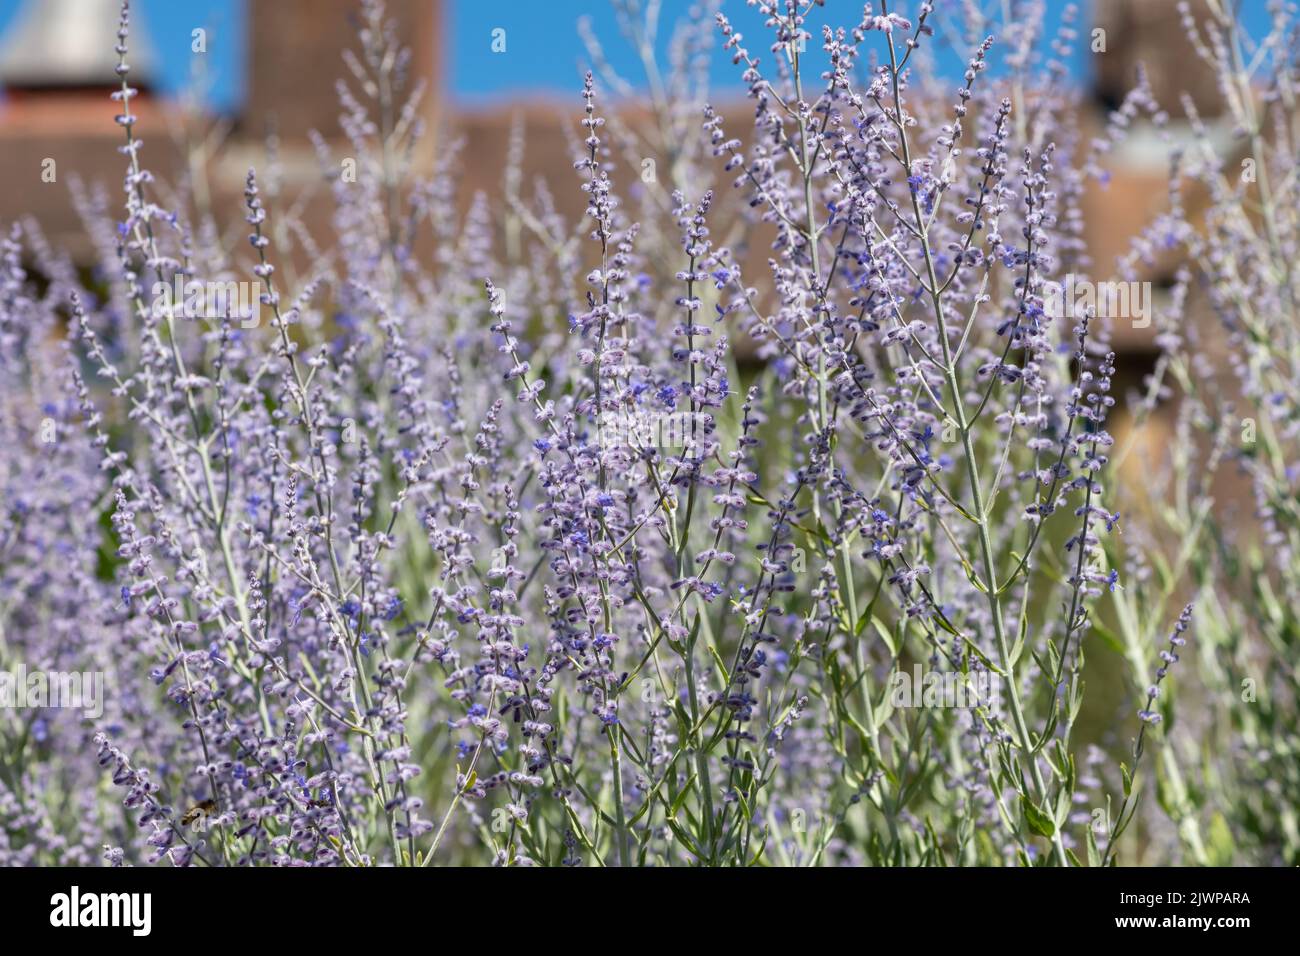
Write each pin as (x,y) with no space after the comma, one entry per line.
(544,54)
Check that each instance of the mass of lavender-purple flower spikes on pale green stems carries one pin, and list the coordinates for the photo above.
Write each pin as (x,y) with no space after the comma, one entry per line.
(635,543)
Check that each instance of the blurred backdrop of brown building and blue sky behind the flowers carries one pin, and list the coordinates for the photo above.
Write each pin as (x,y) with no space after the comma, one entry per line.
(236,84)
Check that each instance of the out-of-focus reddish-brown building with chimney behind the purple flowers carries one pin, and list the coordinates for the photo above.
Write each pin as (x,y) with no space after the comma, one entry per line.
(57,68)
